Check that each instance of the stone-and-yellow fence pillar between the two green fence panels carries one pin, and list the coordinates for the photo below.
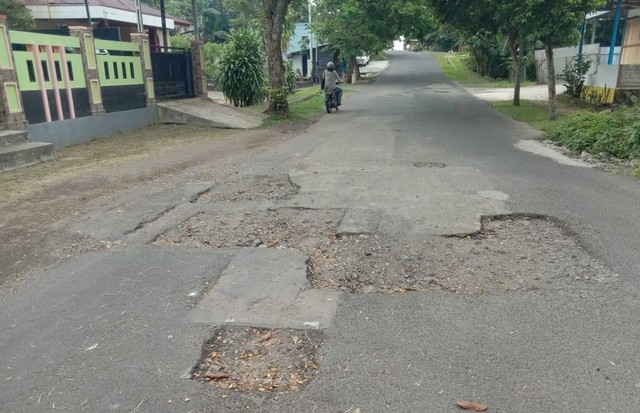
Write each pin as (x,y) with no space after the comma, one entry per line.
(90,63)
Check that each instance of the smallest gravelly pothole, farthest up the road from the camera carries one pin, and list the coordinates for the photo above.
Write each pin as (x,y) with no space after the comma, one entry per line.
(251,188)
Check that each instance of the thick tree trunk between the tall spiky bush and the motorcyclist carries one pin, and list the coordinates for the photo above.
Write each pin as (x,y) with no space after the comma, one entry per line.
(275,13)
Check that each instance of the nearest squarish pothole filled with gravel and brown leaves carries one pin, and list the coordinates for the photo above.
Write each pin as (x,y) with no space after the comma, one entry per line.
(259,360)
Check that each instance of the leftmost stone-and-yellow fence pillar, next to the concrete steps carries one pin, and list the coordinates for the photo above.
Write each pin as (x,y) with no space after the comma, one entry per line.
(11,109)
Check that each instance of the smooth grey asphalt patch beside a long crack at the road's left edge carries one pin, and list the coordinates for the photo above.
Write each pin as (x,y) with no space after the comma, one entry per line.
(116,220)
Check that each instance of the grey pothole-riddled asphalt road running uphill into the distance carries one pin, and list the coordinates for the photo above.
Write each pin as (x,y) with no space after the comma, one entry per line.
(399,255)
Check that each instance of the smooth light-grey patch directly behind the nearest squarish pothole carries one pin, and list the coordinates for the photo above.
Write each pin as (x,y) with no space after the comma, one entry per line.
(267,288)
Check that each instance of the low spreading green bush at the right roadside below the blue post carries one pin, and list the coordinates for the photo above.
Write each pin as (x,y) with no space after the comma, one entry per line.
(615,133)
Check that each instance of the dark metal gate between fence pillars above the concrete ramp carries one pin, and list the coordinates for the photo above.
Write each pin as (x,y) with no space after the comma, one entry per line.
(172,72)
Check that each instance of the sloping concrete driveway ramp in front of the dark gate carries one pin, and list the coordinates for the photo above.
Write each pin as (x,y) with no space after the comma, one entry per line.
(207,113)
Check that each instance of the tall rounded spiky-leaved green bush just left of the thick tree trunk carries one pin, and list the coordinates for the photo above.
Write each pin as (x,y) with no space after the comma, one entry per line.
(241,69)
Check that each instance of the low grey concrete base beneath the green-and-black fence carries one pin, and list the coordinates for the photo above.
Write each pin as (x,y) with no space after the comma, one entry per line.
(73,131)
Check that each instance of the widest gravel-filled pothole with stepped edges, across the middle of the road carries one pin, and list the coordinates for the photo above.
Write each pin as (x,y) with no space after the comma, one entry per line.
(509,254)
